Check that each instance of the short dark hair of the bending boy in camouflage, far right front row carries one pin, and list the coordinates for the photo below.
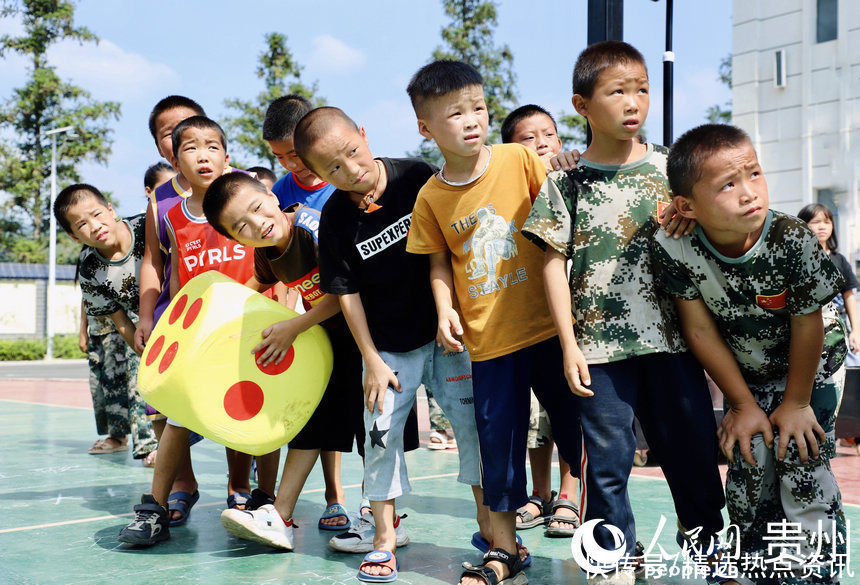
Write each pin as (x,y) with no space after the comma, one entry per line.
(693,148)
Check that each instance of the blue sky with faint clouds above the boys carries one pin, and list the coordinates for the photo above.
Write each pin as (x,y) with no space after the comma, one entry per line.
(362,54)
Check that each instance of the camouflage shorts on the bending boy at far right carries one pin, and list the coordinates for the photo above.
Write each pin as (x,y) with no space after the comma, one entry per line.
(772,495)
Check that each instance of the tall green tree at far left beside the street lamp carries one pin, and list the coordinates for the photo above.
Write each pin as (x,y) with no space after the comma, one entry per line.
(43,103)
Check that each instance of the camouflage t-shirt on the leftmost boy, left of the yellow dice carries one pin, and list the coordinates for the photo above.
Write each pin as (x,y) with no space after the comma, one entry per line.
(110,285)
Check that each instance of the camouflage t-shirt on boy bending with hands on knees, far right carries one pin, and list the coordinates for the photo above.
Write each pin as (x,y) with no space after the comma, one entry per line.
(752,297)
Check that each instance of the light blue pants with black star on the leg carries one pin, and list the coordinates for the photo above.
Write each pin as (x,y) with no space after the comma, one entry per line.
(450,379)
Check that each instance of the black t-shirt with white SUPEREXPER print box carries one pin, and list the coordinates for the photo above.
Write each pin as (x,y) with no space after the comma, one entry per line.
(365,253)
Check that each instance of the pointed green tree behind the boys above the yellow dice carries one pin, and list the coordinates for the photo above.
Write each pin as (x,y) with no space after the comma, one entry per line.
(281,75)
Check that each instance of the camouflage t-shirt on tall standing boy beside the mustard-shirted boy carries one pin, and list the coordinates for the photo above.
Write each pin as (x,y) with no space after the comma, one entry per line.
(602,218)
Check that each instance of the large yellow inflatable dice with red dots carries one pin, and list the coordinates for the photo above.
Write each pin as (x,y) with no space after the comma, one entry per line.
(198,368)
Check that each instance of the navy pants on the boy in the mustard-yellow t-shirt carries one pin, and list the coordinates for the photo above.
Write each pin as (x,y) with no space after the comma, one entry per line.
(501,388)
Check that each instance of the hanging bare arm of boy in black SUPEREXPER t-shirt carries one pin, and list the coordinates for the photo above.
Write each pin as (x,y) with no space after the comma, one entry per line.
(378,376)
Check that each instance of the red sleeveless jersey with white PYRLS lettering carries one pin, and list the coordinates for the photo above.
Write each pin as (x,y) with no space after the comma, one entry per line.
(199,248)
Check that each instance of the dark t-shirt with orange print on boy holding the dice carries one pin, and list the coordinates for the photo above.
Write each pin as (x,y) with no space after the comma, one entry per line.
(298,266)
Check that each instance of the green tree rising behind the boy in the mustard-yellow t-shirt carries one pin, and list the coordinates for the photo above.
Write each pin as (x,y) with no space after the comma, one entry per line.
(469,38)
